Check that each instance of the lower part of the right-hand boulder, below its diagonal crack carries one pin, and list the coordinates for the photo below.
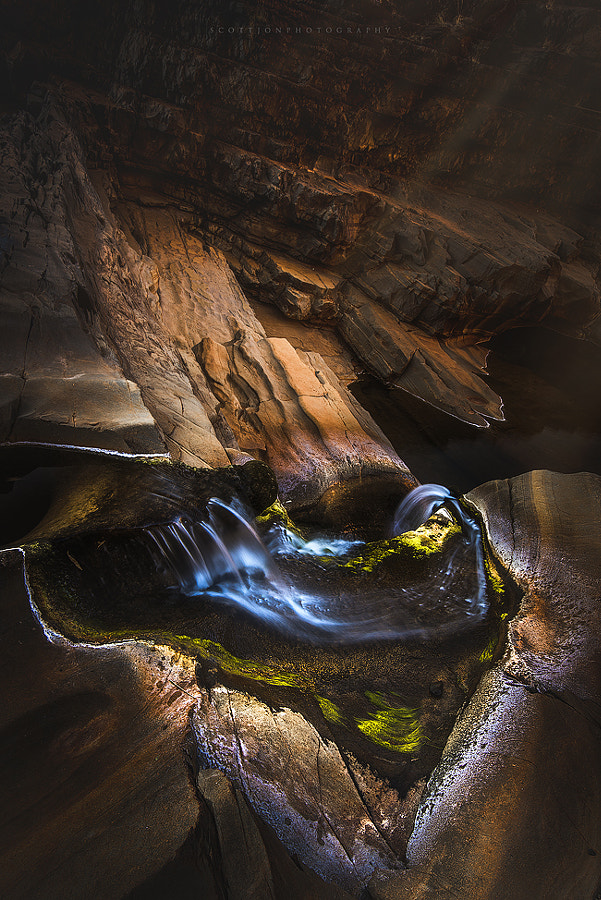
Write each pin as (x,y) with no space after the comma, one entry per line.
(513,808)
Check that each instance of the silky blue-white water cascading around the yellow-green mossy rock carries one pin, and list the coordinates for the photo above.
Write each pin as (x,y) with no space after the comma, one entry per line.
(310,588)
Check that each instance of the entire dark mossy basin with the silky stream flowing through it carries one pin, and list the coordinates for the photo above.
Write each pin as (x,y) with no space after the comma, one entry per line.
(376,634)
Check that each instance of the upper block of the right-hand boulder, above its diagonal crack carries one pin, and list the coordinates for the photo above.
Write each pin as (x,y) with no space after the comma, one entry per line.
(545,530)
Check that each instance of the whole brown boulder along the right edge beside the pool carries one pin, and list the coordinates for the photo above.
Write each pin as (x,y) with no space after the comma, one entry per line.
(513,810)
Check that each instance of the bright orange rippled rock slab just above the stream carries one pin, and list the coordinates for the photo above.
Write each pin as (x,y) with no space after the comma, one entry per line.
(293,410)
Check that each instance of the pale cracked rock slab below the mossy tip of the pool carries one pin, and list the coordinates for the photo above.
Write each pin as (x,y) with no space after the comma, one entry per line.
(297,782)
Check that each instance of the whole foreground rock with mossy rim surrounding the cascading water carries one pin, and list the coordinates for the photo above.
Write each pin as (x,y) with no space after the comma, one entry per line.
(530,730)
